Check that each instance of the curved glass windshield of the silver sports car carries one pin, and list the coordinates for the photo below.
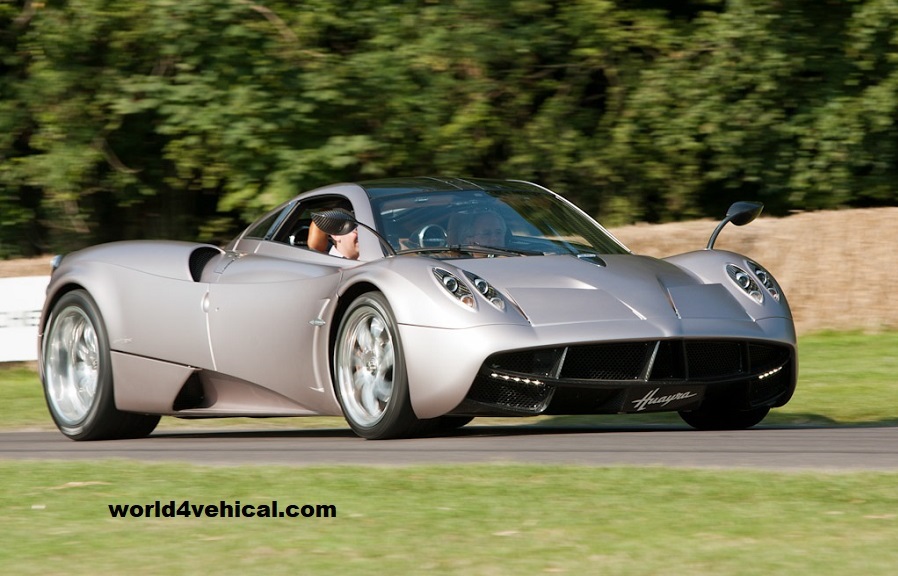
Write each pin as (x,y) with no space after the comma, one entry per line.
(457,224)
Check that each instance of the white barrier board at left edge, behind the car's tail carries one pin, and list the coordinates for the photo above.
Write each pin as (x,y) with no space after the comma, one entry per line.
(21,300)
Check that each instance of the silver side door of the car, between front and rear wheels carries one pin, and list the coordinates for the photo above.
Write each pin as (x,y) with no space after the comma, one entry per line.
(268,307)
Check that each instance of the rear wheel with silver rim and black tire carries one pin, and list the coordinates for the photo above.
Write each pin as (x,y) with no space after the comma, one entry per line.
(76,372)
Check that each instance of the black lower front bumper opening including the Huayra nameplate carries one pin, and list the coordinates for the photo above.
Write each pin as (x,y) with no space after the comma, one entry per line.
(747,375)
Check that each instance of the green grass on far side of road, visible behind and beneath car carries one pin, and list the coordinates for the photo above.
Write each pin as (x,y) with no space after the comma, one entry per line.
(844,378)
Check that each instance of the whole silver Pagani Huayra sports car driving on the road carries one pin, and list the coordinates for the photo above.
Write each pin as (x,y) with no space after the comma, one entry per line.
(411,306)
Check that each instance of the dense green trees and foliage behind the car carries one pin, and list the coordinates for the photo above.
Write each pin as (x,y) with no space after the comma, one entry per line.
(186,118)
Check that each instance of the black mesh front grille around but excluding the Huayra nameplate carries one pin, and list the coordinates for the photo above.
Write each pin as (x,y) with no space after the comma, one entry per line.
(595,377)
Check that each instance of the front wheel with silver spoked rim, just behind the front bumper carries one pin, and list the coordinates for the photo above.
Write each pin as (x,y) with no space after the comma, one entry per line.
(370,379)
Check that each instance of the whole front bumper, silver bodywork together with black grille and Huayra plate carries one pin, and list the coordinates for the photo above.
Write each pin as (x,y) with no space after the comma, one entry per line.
(600,367)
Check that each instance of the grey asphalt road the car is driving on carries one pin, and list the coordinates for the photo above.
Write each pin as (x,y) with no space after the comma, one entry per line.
(778,448)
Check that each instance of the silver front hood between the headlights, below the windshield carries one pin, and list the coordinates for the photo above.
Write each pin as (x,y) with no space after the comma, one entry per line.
(565,289)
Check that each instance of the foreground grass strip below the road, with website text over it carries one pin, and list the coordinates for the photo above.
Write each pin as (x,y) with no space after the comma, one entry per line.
(469,520)
